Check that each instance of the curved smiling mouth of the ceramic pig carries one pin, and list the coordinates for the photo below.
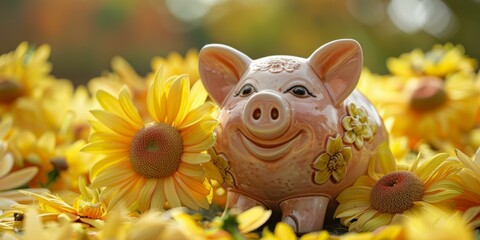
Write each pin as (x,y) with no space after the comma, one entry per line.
(268,152)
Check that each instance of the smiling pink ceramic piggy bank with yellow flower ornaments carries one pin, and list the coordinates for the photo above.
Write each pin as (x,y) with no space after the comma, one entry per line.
(293,132)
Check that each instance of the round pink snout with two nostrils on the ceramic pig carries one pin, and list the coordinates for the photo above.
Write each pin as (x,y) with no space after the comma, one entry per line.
(266,115)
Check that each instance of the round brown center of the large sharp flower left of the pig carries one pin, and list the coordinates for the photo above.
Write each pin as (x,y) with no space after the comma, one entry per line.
(156,150)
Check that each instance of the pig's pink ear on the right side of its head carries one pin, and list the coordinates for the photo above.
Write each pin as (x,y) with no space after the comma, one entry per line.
(338,64)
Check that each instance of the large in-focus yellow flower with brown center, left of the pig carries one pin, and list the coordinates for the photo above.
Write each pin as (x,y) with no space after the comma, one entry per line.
(157,160)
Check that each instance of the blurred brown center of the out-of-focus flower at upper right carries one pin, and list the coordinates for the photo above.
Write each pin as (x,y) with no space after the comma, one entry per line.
(429,94)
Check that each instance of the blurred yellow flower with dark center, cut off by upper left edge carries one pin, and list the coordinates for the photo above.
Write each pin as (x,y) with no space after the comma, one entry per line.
(24,76)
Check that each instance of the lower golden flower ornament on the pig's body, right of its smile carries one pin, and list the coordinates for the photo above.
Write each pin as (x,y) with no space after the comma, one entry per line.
(333,162)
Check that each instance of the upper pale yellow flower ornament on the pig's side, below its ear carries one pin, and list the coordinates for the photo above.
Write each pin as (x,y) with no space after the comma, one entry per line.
(359,128)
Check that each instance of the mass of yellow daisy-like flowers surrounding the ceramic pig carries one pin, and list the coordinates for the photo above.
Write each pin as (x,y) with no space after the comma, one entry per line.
(77,161)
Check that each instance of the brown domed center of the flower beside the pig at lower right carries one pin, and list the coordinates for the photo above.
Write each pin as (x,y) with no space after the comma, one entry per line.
(396,192)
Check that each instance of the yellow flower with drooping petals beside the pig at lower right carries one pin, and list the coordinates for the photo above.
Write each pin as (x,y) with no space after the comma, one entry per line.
(380,198)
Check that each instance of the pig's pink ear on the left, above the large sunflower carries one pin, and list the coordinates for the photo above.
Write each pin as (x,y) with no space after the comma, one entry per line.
(221,67)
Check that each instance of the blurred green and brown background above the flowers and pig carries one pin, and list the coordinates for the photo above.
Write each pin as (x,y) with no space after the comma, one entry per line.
(84,34)
